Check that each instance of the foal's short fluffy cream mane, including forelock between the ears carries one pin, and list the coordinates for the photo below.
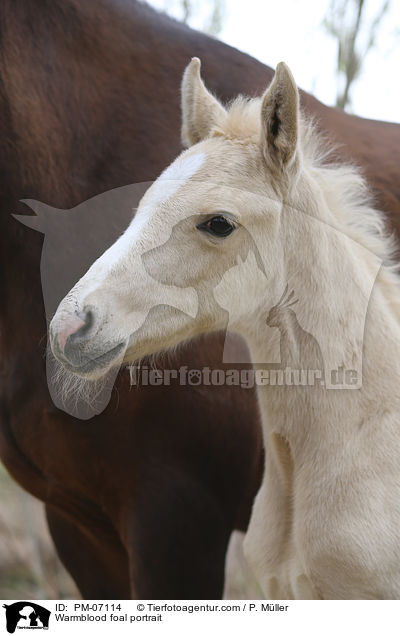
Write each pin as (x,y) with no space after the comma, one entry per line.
(343,184)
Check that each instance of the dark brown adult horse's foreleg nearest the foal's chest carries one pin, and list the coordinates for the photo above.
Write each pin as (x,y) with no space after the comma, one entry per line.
(177,540)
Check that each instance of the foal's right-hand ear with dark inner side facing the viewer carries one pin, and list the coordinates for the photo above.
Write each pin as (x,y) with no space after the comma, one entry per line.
(280,118)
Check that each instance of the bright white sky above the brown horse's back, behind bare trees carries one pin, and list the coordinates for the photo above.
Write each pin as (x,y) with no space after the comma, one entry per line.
(290,30)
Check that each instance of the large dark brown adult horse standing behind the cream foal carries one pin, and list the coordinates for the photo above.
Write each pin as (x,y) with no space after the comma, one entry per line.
(141,499)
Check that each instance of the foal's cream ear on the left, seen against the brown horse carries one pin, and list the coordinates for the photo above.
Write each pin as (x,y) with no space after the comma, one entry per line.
(201,111)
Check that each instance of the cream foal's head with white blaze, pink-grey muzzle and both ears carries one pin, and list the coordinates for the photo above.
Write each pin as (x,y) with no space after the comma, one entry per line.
(219,202)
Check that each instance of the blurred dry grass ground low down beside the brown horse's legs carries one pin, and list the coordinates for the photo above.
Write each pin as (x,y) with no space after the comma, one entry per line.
(30,568)
